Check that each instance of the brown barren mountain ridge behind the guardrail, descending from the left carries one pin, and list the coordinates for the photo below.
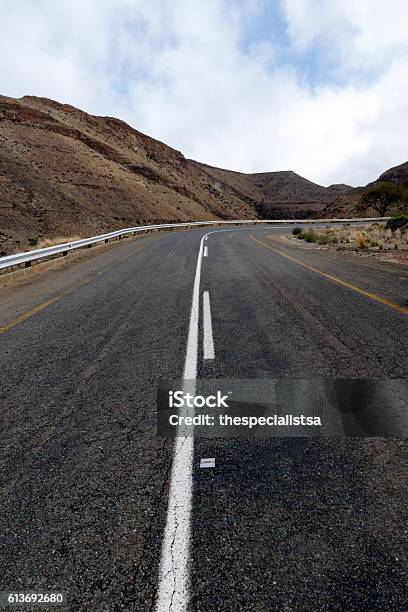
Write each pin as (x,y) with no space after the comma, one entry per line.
(64,172)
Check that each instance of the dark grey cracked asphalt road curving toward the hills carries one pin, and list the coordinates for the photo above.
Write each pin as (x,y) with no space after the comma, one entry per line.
(283,523)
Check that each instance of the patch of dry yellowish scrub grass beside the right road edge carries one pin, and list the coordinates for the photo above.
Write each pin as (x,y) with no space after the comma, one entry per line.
(373,237)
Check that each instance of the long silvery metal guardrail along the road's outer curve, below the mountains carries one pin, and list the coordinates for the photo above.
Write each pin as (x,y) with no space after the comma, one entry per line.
(28,256)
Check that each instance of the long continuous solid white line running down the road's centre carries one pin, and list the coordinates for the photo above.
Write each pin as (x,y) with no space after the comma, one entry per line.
(174,577)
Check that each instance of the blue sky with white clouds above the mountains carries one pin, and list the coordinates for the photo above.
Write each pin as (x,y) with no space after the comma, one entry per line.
(316,86)
